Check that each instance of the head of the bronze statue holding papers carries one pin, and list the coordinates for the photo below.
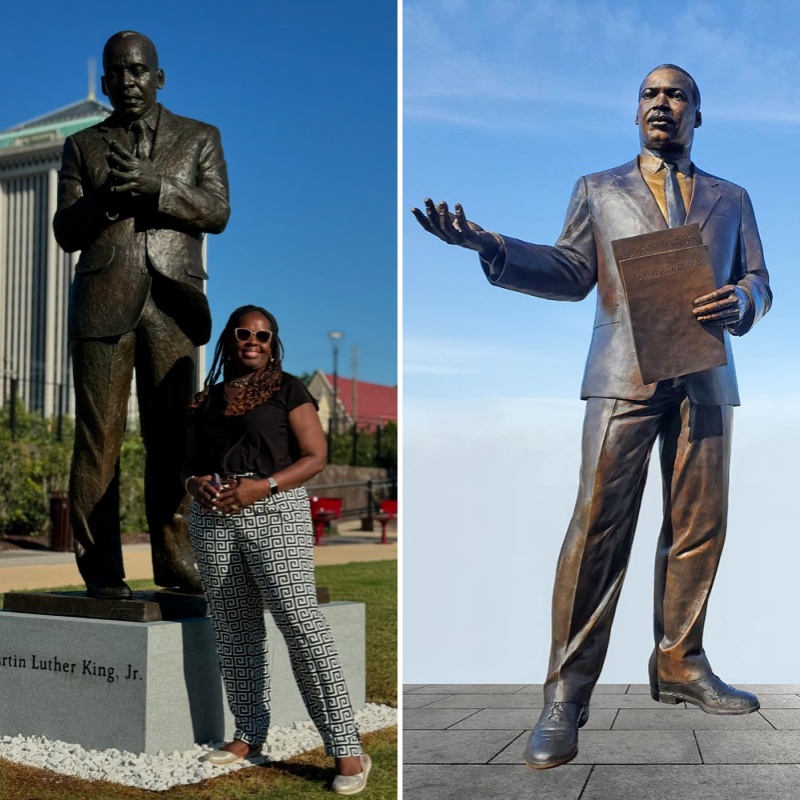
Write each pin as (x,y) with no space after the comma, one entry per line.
(667,113)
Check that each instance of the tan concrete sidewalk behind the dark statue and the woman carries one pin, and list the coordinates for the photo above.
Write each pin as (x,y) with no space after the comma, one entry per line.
(42,569)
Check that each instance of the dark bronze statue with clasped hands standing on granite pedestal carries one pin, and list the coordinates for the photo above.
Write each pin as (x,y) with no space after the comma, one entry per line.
(136,195)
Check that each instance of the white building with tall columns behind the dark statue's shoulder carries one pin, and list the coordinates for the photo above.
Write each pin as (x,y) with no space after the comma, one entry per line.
(35,274)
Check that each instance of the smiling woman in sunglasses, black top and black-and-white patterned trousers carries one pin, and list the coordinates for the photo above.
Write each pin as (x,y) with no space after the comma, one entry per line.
(252,534)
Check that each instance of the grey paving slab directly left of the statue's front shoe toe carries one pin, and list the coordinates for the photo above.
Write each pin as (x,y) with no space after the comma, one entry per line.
(455,747)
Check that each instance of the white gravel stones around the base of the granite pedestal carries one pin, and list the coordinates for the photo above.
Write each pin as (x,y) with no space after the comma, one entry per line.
(162,771)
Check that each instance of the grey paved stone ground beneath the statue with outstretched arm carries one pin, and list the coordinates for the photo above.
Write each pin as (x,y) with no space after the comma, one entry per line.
(463,741)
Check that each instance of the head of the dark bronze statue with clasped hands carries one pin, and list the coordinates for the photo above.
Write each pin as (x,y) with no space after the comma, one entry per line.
(132,77)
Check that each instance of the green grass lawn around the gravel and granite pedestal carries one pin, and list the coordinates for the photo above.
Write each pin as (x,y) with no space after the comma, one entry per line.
(304,776)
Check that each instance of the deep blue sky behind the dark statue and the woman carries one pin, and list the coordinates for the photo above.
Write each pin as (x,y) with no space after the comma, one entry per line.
(305,96)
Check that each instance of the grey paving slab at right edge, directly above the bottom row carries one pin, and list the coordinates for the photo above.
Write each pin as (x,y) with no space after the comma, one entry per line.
(756,747)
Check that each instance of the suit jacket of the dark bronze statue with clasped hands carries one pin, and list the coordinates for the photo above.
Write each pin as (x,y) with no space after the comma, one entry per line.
(122,238)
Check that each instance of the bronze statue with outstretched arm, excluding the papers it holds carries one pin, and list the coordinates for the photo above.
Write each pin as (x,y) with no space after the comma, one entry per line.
(689,415)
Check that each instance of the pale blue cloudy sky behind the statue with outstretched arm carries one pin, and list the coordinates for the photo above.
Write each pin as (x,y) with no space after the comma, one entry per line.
(506,104)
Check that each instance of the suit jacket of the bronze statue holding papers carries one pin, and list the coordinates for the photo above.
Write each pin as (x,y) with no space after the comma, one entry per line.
(616,204)
